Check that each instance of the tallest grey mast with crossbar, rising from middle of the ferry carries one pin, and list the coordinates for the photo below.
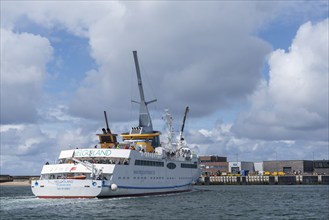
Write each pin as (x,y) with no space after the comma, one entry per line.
(145,122)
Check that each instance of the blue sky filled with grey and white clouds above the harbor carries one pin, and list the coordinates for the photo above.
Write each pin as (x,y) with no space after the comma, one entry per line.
(253,73)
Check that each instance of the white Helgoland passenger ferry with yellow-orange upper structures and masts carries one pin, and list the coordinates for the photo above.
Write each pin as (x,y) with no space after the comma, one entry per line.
(138,165)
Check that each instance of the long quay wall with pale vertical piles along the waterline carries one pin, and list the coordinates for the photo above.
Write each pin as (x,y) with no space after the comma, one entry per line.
(264,180)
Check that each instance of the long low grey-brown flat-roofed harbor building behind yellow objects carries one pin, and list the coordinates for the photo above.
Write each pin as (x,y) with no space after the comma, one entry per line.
(289,166)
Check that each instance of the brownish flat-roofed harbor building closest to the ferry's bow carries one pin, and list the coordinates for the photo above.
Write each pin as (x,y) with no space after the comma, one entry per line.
(213,165)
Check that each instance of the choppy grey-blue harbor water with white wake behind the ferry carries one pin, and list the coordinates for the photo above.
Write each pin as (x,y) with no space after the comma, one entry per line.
(204,202)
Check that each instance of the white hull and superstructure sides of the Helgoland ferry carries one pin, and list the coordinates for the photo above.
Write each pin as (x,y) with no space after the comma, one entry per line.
(118,179)
